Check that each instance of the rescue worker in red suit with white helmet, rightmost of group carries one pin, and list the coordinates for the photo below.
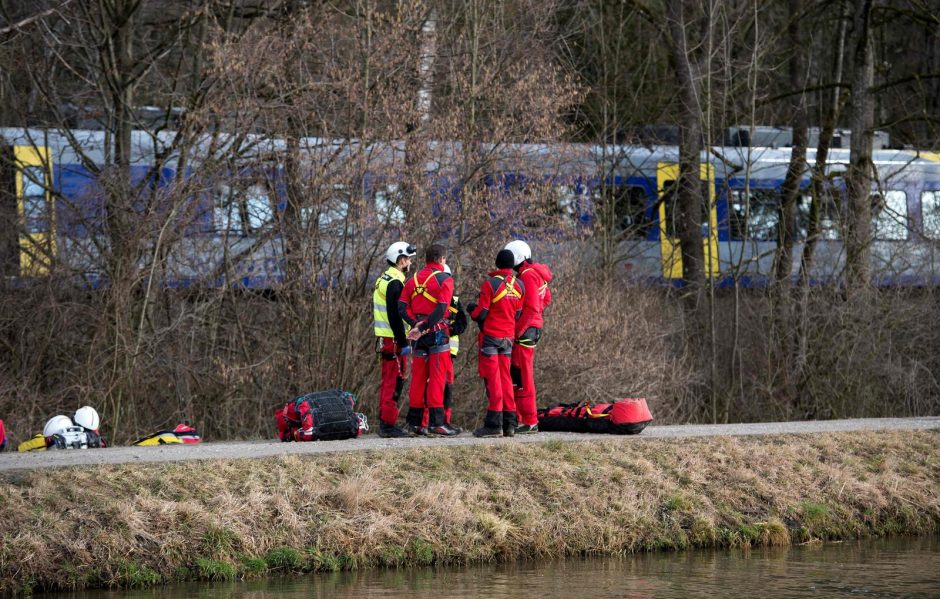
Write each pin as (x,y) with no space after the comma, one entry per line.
(537,297)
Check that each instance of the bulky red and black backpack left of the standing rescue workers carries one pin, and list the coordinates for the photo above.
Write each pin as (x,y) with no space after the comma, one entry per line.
(320,416)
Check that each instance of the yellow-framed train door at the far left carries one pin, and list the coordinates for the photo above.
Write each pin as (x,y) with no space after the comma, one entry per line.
(34,207)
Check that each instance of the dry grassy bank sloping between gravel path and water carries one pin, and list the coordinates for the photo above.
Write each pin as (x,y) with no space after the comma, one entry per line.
(144,525)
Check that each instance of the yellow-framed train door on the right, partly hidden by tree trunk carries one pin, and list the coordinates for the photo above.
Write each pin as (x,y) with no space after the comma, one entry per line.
(666,175)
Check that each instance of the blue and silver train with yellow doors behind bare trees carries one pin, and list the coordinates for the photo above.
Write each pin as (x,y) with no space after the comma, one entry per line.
(52,191)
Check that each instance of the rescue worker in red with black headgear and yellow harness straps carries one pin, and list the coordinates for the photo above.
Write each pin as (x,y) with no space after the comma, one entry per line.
(499,307)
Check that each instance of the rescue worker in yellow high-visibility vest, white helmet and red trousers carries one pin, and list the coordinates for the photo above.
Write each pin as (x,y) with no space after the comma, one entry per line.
(390,335)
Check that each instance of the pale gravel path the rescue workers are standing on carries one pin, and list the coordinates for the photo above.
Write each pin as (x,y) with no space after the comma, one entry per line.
(260,449)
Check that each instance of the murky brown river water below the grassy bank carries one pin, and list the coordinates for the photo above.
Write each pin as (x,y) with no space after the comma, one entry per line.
(873,568)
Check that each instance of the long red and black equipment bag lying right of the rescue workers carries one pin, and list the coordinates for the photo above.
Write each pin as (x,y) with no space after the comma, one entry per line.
(622,417)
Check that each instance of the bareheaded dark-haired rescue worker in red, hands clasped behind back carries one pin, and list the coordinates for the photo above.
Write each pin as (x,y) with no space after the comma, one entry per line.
(423,305)
